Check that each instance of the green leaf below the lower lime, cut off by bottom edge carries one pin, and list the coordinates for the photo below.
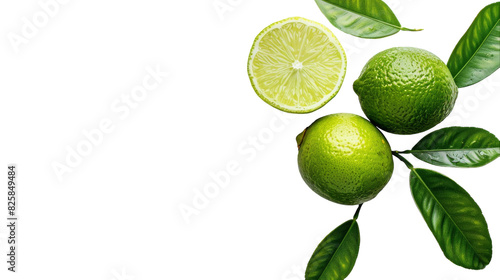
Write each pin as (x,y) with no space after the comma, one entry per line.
(336,254)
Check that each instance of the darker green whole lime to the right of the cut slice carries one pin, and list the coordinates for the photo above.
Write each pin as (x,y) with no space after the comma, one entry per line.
(406,90)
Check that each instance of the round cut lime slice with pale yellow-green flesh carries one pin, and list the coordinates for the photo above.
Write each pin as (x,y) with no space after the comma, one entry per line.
(296,65)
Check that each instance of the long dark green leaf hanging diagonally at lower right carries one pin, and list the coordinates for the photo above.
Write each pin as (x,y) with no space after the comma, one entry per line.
(453,217)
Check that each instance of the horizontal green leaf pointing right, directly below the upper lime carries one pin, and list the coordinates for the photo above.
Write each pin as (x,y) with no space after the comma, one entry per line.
(458,147)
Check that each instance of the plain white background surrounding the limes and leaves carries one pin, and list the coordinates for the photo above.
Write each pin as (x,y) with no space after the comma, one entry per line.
(117,215)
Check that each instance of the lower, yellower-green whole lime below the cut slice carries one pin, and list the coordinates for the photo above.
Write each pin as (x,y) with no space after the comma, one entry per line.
(344,158)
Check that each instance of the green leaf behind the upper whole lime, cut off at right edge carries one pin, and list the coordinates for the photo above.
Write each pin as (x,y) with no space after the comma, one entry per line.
(477,54)
